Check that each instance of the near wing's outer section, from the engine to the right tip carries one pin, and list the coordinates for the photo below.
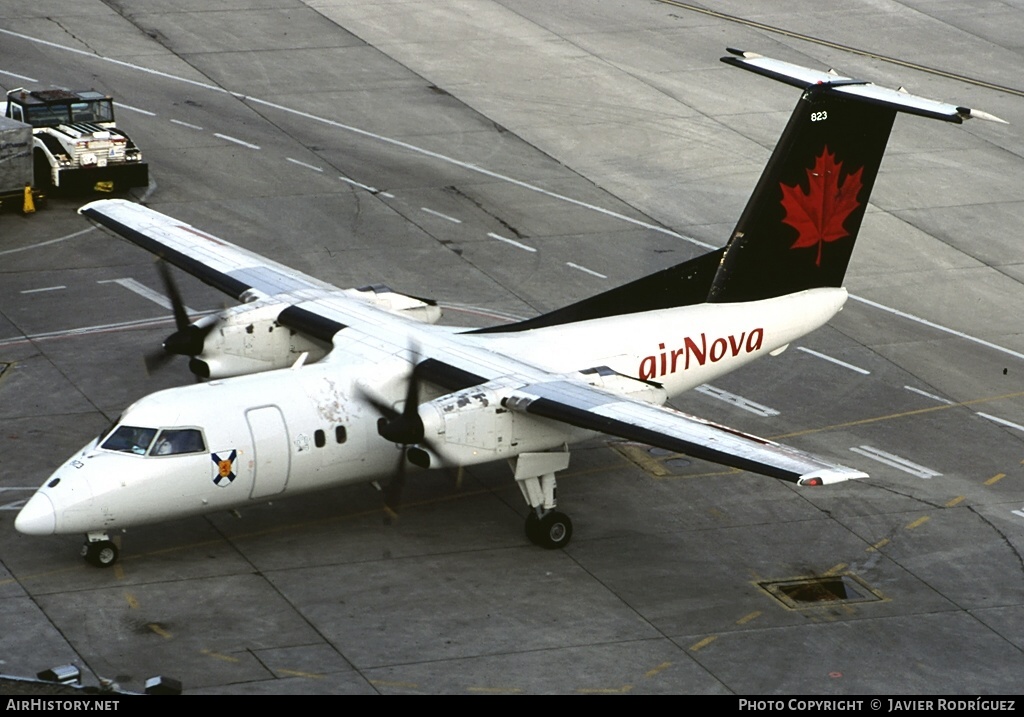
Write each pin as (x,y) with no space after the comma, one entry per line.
(593,409)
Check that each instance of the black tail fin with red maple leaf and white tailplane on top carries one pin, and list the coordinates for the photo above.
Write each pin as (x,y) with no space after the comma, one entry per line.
(800,225)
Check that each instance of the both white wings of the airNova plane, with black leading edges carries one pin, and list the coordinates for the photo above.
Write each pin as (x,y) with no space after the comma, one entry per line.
(455,365)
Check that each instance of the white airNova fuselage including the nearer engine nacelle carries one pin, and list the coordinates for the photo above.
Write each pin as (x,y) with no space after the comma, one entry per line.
(307,429)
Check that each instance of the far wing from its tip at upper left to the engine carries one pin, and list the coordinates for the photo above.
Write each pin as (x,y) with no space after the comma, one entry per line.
(225,267)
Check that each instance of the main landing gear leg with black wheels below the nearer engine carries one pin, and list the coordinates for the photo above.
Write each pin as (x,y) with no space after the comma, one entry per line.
(535,473)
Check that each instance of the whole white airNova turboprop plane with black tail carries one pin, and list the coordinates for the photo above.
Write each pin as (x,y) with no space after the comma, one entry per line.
(311,387)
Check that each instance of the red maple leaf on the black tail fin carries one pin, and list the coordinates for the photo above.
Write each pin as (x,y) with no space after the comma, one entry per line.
(819,215)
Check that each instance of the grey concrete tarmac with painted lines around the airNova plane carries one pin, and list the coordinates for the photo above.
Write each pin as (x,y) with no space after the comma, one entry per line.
(400,143)
